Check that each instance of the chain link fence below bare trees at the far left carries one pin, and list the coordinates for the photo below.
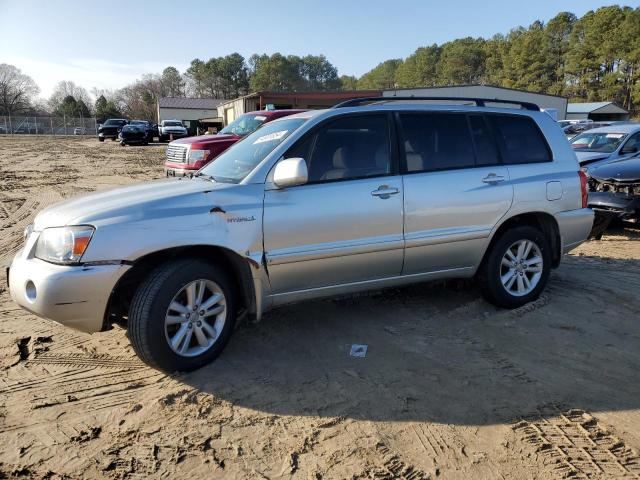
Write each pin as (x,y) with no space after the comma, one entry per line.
(10,125)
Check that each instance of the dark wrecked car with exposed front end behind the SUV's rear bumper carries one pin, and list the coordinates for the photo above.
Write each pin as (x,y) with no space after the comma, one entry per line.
(614,193)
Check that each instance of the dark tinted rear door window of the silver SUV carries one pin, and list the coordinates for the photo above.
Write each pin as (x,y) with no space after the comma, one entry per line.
(436,141)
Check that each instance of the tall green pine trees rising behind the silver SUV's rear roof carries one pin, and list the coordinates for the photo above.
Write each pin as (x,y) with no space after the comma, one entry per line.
(595,57)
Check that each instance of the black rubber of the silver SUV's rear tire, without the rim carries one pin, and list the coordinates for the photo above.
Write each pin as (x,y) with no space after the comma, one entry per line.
(490,271)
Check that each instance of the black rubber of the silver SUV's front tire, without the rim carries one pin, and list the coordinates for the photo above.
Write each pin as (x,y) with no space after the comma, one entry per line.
(146,326)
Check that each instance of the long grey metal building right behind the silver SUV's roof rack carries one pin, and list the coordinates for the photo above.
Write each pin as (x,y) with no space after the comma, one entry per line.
(555,105)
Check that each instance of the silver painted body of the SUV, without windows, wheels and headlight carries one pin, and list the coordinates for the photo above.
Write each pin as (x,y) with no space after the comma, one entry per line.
(308,241)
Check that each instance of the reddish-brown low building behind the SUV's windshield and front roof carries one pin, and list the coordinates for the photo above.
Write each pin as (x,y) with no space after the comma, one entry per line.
(231,109)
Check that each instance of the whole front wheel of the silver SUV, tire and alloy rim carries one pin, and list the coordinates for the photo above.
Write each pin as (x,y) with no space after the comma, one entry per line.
(182,315)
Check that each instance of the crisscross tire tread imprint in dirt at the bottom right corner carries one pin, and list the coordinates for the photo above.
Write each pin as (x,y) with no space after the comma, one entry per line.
(577,445)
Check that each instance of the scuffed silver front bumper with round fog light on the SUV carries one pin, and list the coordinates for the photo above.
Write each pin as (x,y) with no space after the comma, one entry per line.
(75,296)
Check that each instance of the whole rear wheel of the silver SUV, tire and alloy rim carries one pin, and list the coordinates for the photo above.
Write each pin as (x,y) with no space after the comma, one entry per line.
(517,268)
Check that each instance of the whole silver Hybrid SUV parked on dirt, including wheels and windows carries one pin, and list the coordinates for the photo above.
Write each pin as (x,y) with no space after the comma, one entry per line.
(369,194)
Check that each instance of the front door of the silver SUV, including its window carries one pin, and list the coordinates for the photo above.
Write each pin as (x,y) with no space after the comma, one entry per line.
(345,224)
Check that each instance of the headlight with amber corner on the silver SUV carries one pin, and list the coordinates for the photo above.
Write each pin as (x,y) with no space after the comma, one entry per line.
(63,244)
